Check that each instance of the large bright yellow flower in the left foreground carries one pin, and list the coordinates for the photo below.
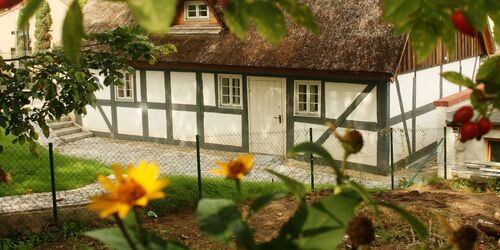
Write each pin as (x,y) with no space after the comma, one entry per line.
(136,188)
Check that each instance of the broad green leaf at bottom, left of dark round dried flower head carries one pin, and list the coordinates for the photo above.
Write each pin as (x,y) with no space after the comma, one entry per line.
(334,213)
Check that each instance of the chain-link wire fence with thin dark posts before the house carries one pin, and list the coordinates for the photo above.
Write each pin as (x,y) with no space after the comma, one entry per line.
(75,165)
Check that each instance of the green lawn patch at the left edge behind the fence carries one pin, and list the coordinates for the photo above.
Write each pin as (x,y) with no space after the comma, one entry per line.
(32,174)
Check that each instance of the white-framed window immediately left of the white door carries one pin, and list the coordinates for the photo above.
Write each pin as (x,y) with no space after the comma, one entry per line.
(230,91)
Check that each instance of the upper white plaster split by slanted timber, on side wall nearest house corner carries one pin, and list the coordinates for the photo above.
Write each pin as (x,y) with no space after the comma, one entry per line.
(406,88)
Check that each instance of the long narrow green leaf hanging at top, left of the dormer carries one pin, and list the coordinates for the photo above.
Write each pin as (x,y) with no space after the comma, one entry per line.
(72,32)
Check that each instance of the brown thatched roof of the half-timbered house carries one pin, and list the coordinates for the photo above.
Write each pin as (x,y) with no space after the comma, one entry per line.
(353,38)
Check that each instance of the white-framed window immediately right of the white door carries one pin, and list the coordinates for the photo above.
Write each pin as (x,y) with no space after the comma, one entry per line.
(307,97)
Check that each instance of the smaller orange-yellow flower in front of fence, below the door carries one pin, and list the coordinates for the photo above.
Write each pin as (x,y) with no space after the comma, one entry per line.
(234,169)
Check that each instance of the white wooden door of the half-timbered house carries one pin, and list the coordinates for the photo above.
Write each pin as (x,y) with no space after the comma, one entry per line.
(267,115)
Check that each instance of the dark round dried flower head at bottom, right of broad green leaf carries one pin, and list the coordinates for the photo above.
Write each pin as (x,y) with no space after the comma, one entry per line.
(360,231)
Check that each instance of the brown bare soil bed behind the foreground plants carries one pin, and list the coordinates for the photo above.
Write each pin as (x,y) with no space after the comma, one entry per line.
(391,231)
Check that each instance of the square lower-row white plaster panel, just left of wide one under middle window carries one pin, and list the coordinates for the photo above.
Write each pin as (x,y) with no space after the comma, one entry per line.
(184,125)
